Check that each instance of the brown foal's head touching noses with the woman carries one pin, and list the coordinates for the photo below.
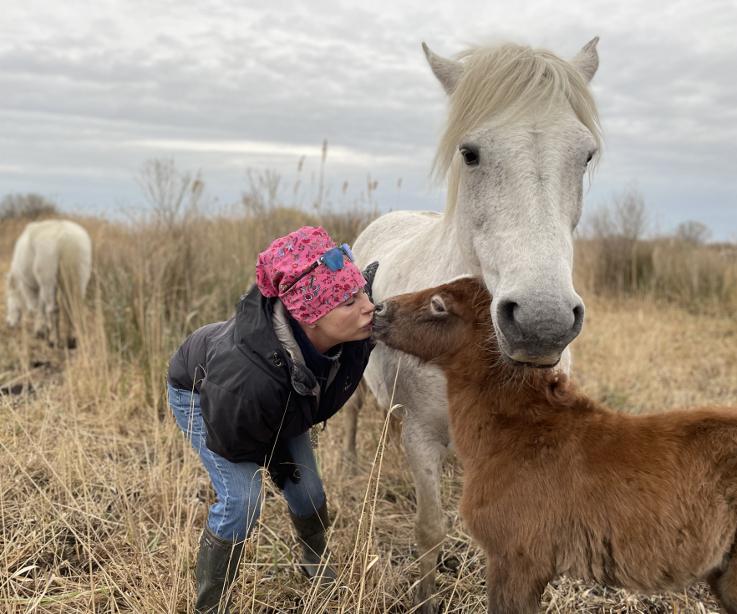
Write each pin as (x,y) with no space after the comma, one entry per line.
(437,324)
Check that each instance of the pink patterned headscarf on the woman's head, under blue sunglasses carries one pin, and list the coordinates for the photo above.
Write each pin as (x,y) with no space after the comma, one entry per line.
(318,292)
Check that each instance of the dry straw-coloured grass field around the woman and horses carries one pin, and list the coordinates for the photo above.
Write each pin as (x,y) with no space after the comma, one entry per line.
(102,501)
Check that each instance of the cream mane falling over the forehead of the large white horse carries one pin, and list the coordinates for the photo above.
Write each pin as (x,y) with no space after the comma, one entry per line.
(509,80)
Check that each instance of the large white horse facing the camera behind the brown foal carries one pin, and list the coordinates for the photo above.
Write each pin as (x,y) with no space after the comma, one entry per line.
(521,132)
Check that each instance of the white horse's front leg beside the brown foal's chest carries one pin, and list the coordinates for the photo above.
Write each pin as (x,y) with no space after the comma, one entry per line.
(425,452)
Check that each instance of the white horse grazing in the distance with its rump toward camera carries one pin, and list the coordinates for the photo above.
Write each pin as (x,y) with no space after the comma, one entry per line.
(51,264)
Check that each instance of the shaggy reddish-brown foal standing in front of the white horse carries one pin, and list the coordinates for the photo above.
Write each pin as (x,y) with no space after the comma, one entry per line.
(557,484)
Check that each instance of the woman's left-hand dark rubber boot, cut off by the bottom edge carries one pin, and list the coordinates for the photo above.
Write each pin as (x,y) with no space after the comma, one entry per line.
(217,566)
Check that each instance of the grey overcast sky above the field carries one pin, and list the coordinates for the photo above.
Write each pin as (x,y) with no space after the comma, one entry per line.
(91,90)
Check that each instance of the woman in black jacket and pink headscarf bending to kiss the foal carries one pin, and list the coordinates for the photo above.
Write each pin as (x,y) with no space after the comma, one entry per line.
(246,392)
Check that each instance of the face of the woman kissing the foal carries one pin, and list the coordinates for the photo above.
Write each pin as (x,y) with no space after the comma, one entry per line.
(350,321)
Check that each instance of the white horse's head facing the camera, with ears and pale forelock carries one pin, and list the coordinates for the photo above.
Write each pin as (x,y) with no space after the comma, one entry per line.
(521,133)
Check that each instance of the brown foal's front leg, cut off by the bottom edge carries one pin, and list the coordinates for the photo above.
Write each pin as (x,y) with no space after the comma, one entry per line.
(513,585)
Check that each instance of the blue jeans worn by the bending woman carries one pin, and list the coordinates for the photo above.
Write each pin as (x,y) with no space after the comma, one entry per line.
(238,485)
